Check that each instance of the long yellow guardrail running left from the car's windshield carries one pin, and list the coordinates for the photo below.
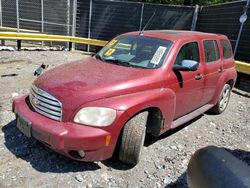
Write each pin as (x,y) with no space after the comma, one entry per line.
(46,37)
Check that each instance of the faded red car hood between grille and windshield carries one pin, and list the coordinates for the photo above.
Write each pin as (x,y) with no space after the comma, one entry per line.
(77,83)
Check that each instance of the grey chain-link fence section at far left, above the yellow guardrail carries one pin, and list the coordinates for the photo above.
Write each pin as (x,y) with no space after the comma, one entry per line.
(43,16)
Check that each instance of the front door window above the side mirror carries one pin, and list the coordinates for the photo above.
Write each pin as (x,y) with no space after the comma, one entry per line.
(189,51)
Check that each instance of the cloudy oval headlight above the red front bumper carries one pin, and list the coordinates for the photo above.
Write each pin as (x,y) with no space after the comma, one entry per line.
(97,116)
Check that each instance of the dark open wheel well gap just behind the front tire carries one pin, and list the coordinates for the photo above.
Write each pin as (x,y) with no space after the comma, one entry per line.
(155,121)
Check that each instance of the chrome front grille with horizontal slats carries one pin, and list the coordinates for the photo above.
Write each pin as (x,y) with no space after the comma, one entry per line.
(45,103)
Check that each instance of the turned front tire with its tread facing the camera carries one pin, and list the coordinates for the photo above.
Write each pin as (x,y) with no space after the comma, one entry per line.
(133,137)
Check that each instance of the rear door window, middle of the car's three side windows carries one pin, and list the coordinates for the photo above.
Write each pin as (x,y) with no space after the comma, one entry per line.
(211,51)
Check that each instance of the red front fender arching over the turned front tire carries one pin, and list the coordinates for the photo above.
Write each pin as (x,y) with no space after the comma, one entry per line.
(131,104)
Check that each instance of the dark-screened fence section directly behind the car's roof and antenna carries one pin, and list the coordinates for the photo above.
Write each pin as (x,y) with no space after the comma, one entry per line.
(105,19)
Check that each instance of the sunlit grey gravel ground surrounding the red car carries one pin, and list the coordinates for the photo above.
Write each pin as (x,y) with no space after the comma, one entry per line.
(27,163)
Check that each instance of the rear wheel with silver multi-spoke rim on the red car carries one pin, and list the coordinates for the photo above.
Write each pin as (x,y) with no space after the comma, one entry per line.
(223,100)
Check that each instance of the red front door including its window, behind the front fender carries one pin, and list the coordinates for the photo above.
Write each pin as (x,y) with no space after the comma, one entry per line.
(188,85)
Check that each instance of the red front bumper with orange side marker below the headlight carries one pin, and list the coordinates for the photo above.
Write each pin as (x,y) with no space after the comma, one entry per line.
(67,138)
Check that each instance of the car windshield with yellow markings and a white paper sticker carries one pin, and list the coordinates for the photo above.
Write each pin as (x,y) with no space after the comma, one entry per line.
(135,51)
